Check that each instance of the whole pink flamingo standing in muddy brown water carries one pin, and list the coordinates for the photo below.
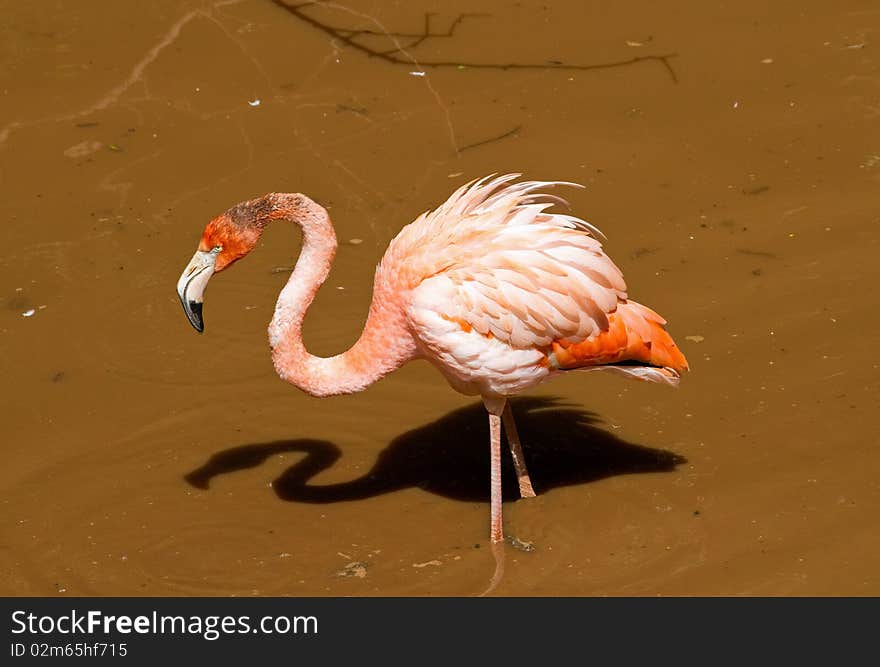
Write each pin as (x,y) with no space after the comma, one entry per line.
(493,289)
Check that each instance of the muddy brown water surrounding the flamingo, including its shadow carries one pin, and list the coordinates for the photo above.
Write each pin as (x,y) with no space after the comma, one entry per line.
(731,155)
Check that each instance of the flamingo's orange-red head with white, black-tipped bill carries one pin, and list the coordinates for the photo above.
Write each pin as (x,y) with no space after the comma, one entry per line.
(226,239)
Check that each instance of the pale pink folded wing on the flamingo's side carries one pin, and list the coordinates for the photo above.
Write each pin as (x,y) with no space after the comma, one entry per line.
(528,284)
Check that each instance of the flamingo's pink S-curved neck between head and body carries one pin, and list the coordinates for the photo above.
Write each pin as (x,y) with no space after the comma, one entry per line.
(384,345)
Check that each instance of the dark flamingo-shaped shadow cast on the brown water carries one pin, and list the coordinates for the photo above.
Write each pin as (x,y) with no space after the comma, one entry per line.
(449,457)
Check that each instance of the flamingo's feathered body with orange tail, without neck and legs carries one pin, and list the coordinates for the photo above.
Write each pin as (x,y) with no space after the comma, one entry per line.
(501,295)
